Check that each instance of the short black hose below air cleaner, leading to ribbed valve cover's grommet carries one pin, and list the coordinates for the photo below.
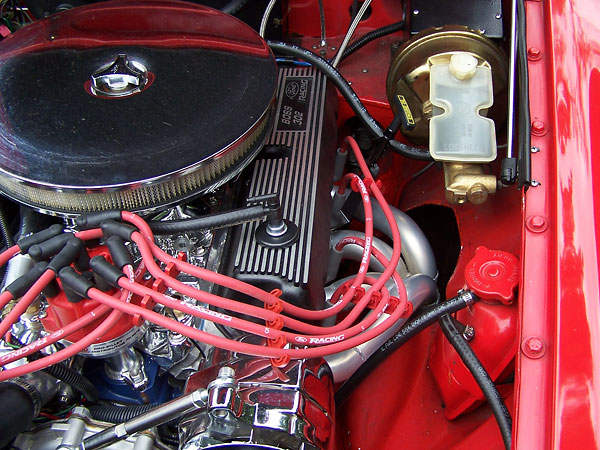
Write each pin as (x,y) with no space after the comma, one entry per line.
(212,221)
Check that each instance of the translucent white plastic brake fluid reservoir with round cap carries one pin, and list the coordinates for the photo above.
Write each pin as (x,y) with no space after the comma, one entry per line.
(459,91)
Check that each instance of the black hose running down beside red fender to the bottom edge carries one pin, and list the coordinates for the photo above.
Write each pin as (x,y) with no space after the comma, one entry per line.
(487,386)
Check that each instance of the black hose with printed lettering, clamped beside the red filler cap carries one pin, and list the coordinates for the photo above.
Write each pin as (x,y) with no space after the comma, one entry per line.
(407,332)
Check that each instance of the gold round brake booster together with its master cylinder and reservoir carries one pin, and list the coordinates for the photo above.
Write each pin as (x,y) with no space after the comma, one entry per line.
(454,81)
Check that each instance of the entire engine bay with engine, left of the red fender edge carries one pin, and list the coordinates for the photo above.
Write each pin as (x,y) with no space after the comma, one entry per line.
(289,224)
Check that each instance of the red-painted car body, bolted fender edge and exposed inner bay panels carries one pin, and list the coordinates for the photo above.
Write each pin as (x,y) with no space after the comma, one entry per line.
(557,377)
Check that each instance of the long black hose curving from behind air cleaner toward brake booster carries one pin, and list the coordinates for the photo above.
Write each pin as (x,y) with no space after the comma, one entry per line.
(348,93)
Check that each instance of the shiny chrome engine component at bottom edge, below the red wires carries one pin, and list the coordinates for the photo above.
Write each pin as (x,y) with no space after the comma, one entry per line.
(253,403)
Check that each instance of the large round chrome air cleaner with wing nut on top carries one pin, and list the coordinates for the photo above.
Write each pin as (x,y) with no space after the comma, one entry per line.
(130,105)
